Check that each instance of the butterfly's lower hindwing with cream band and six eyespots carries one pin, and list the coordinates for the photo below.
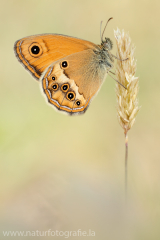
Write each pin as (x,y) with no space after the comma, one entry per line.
(70,83)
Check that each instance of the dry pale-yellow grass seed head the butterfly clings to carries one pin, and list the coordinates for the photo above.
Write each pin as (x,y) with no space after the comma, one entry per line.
(127,103)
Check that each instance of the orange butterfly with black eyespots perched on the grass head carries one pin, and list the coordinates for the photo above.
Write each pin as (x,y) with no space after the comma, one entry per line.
(70,70)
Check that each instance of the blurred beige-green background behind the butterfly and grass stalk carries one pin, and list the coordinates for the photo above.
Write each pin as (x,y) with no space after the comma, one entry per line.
(67,173)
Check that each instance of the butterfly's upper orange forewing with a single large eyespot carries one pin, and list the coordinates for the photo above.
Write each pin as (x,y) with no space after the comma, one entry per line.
(37,52)
